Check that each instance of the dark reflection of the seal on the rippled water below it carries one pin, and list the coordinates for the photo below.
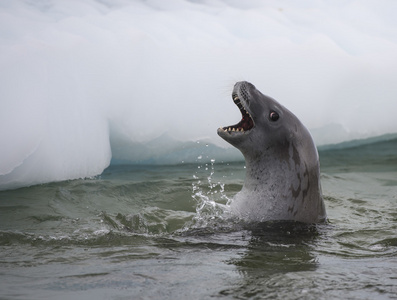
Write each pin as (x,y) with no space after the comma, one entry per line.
(275,250)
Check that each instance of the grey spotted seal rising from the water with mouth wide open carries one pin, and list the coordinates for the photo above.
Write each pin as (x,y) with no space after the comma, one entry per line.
(282,165)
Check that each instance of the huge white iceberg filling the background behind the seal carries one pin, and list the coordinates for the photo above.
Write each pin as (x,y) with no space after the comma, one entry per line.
(70,70)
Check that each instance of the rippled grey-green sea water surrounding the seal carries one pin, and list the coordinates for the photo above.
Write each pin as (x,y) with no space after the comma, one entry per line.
(163,232)
